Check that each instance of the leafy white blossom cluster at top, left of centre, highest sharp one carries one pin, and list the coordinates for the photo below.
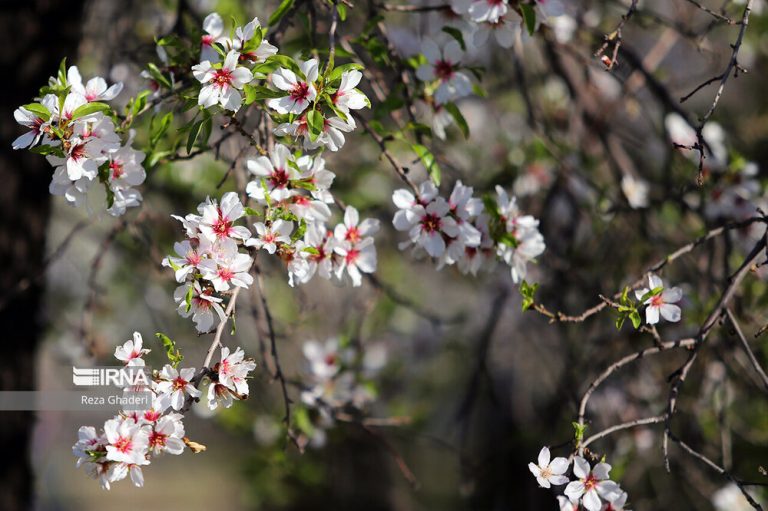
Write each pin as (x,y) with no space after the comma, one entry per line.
(305,103)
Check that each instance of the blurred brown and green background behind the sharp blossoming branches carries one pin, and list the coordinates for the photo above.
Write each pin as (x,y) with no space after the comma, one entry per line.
(474,386)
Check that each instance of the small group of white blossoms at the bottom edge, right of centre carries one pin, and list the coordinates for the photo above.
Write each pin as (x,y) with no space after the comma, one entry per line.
(591,487)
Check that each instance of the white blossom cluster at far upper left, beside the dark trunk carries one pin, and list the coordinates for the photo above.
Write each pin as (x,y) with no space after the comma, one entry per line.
(75,129)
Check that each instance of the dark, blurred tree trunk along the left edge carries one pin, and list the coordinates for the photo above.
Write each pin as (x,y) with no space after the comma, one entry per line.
(35,35)
